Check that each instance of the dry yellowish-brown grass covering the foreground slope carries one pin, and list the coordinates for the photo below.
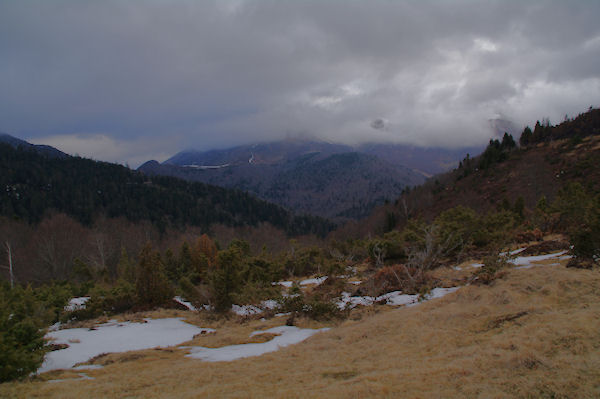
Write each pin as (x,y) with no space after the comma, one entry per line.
(534,333)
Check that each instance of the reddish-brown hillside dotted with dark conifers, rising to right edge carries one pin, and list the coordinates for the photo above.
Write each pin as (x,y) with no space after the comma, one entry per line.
(549,158)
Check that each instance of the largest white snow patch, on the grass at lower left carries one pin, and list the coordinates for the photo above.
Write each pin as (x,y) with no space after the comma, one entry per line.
(85,343)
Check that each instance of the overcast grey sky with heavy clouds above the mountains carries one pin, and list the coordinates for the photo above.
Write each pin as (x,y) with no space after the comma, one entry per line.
(128,81)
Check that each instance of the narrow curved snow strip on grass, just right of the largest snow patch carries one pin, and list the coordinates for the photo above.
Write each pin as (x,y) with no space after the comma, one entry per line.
(288,335)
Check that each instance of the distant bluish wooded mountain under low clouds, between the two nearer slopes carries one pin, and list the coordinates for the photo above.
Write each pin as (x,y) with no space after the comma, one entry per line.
(319,178)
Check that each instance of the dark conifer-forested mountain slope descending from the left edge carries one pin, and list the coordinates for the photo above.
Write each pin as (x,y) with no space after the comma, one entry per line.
(34,184)
